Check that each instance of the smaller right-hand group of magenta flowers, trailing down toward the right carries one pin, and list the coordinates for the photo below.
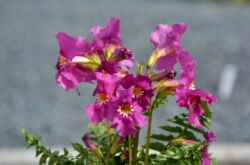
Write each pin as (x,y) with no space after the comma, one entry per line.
(168,52)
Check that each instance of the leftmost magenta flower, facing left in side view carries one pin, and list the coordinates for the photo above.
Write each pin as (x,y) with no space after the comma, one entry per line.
(69,69)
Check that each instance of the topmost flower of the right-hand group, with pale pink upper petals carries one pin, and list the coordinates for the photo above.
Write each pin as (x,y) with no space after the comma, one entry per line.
(166,40)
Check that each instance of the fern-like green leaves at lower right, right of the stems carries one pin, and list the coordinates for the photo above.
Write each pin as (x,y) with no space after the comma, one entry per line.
(181,142)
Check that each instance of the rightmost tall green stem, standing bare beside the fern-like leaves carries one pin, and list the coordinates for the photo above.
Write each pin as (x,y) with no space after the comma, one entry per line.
(148,133)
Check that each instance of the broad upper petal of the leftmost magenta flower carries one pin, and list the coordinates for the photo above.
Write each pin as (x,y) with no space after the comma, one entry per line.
(70,46)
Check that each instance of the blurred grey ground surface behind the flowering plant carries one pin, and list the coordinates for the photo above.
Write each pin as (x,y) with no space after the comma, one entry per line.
(218,36)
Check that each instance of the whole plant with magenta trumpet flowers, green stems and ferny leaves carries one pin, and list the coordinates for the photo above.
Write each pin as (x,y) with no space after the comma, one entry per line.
(125,102)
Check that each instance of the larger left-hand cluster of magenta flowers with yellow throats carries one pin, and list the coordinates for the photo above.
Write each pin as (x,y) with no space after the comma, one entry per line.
(121,97)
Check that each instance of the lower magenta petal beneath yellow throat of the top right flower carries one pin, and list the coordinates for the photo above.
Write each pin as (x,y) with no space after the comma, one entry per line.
(166,62)
